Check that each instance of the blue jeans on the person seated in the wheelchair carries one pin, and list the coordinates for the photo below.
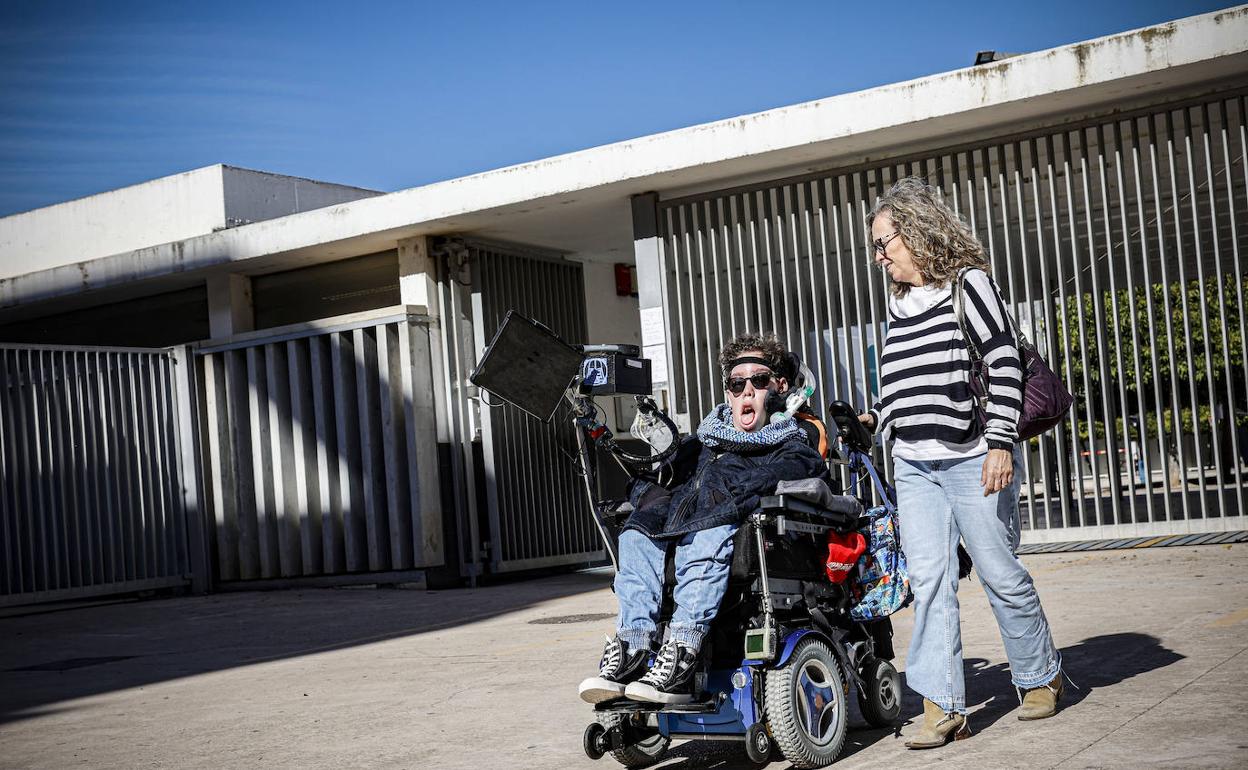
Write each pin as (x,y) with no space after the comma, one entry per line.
(703,562)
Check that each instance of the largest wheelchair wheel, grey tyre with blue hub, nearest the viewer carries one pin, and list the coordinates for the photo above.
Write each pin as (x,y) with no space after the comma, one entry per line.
(806,704)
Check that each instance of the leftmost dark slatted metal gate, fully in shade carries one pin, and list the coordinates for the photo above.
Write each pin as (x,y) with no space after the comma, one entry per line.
(95,499)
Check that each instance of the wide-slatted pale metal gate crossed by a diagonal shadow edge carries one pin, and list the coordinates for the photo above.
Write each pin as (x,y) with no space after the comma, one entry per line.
(320,449)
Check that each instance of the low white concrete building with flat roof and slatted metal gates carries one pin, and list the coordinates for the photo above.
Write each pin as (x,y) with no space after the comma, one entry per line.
(329,426)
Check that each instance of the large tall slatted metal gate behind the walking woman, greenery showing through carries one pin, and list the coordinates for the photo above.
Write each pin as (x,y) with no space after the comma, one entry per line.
(1119,246)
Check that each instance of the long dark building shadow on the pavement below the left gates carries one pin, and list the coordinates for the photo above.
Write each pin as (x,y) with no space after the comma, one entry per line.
(54,658)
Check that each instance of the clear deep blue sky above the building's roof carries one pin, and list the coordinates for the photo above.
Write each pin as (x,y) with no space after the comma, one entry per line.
(391,95)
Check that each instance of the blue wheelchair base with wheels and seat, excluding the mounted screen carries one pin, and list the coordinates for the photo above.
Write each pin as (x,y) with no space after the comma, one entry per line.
(783,653)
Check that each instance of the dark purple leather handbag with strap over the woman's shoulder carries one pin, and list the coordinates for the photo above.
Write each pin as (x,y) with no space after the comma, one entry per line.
(1045,399)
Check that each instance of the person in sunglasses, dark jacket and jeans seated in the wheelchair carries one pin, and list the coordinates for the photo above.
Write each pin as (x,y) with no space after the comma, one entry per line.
(696,505)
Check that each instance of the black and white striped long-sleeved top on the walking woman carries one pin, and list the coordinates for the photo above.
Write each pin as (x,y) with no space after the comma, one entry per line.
(925,402)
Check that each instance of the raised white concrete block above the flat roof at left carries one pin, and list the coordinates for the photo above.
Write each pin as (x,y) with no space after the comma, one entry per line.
(162,212)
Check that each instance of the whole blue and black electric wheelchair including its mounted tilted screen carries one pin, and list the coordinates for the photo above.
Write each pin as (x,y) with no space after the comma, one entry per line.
(783,655)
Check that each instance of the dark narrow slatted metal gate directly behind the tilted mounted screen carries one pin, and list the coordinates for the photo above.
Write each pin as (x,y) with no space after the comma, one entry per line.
(535,506)
